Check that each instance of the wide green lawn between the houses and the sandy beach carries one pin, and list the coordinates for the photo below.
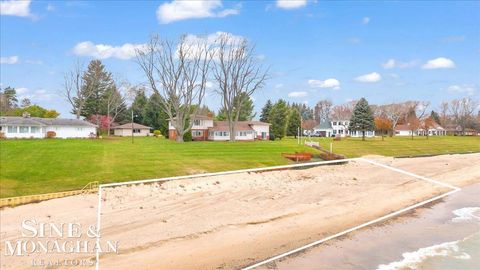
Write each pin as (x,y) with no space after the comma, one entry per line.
(42,166)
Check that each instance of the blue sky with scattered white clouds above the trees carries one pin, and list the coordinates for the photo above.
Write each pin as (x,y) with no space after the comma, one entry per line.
(383,51)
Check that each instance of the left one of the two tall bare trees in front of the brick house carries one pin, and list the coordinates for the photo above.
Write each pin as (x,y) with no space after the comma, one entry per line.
(178,71)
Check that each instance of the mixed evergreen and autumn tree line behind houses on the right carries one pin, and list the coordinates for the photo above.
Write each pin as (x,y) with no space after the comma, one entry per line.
(462,114)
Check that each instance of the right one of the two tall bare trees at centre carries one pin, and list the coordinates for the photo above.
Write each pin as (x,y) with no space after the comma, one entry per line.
(237,73)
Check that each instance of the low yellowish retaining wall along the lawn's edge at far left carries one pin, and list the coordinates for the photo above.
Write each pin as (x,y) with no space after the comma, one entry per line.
(91,187)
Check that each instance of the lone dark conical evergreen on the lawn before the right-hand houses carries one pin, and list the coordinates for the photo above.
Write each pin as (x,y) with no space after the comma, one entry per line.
(362,118)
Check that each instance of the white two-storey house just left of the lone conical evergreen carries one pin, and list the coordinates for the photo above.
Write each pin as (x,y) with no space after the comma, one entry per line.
(332,128)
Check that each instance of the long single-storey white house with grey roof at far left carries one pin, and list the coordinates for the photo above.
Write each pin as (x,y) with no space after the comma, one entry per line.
(36,127)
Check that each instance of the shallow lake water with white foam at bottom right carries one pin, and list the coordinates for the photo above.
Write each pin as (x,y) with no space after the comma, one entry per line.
(445,235)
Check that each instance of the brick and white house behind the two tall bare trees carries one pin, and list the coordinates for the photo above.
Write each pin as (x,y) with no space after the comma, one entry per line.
(204,128)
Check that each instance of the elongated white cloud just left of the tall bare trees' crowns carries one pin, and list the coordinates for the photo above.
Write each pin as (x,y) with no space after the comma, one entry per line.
(103,51)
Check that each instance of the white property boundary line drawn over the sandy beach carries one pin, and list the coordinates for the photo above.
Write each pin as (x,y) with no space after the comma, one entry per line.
(455,189)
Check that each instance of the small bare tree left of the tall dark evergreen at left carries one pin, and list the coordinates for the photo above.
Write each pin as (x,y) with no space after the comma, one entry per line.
(74,89)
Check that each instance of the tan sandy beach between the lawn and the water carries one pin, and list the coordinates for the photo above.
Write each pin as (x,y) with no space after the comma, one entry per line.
(231,221)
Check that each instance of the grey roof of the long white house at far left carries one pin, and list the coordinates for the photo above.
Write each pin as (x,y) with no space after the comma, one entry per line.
(37,121)
